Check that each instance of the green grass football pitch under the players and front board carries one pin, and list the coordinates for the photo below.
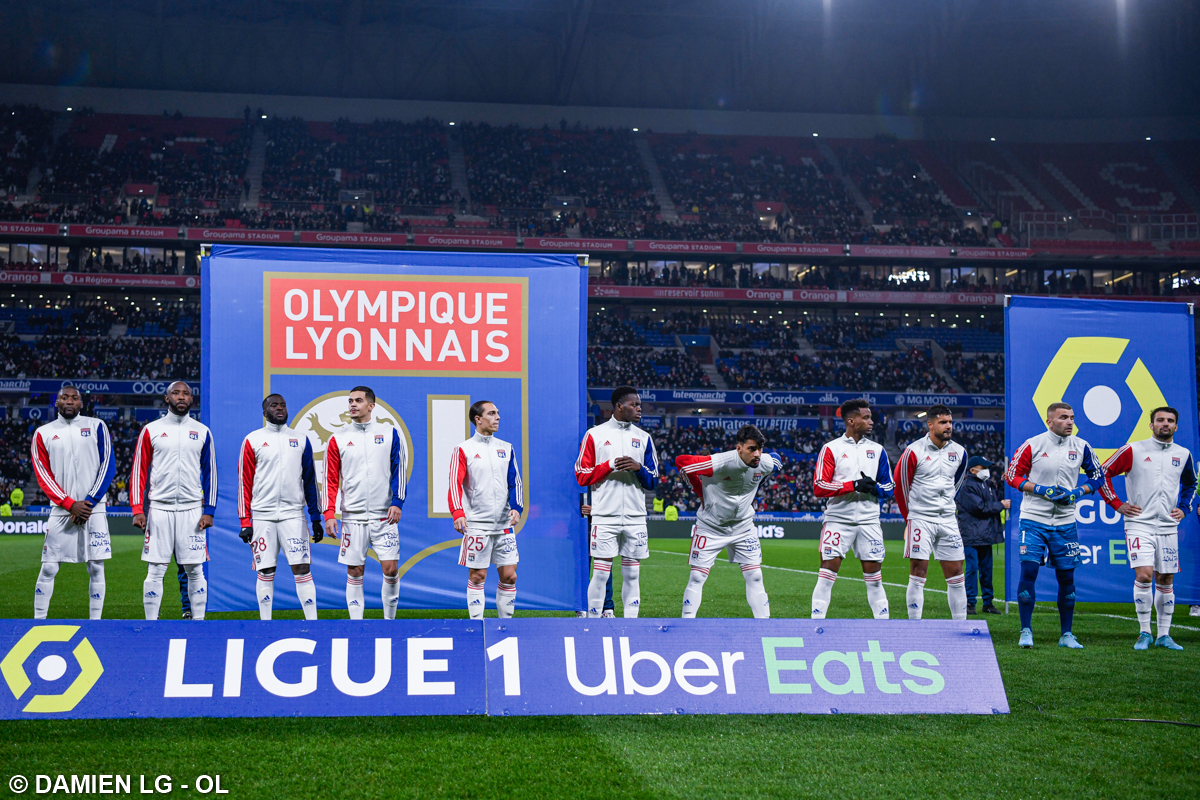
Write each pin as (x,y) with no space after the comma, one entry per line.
(1053,744)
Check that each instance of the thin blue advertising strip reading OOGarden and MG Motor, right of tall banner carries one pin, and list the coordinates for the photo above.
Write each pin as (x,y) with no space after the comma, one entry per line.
(806,398)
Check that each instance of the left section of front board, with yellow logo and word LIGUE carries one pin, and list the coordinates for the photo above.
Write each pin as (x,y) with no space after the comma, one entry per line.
(232,669)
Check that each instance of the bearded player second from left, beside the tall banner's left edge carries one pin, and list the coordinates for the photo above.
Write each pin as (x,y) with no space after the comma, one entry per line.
(173,490)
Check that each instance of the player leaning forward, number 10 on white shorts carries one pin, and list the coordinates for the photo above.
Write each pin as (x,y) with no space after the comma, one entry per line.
(728,484)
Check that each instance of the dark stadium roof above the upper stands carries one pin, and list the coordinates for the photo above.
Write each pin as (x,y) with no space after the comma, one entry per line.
(1046,59)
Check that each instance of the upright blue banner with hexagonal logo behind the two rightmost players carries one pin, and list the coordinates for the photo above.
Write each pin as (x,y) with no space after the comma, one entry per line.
(1114,363)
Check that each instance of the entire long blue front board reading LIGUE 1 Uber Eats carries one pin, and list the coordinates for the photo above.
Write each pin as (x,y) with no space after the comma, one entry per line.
(549,666)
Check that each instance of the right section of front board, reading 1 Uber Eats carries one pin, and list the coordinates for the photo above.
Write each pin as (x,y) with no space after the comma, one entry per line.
(717,666)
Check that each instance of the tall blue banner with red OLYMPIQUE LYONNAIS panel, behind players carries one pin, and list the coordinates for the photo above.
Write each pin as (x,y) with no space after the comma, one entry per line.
(431,334)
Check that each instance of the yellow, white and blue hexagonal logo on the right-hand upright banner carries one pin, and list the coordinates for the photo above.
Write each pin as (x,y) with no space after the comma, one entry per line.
(1118,398)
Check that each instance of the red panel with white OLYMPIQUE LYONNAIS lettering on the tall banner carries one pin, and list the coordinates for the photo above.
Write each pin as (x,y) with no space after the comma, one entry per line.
(395,324)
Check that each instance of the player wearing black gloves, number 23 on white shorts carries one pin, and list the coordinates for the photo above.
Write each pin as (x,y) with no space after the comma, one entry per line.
(855,474)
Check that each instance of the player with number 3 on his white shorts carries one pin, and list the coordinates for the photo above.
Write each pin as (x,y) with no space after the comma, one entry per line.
(928,478)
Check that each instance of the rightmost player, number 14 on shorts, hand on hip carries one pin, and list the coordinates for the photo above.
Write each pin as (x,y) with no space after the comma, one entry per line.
(1161,484)
